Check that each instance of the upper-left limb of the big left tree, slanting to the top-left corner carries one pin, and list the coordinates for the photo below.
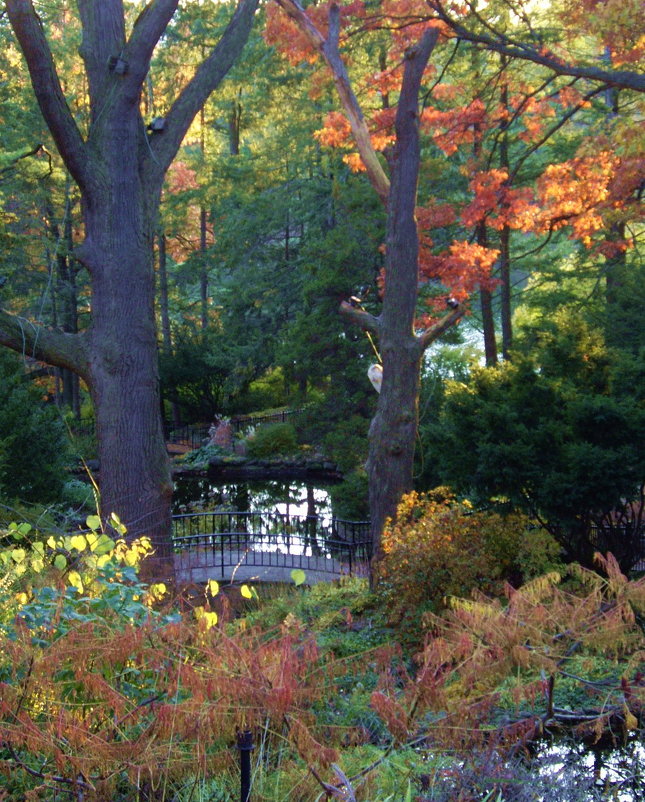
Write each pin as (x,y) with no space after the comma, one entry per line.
(49,94)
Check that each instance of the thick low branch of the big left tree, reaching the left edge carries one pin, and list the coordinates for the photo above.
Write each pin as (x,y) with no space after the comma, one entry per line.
(36,341)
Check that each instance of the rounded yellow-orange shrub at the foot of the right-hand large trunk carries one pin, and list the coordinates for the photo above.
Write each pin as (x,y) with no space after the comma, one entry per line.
(439,547)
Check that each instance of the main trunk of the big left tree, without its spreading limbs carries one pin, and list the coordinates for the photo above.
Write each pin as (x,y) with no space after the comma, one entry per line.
(135,476)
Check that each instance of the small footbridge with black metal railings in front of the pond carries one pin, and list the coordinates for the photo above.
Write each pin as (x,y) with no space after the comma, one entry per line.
(221,540)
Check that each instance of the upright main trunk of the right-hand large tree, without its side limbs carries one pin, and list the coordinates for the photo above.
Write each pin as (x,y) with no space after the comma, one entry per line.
(393,429)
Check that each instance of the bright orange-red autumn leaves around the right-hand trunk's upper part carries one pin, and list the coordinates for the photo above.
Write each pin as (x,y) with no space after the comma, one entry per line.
(586,194)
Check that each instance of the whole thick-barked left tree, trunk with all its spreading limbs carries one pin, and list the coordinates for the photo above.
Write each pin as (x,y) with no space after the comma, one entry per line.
(119,169)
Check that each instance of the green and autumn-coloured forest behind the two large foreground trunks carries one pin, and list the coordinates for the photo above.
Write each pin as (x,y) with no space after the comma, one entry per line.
(529,211)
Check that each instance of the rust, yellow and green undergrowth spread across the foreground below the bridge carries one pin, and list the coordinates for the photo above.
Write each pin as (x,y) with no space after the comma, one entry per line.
(110,691)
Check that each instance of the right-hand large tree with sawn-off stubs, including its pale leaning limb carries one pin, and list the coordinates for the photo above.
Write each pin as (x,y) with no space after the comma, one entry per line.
(393,429)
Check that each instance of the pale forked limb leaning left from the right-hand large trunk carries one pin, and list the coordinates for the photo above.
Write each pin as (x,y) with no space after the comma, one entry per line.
(328,49)
